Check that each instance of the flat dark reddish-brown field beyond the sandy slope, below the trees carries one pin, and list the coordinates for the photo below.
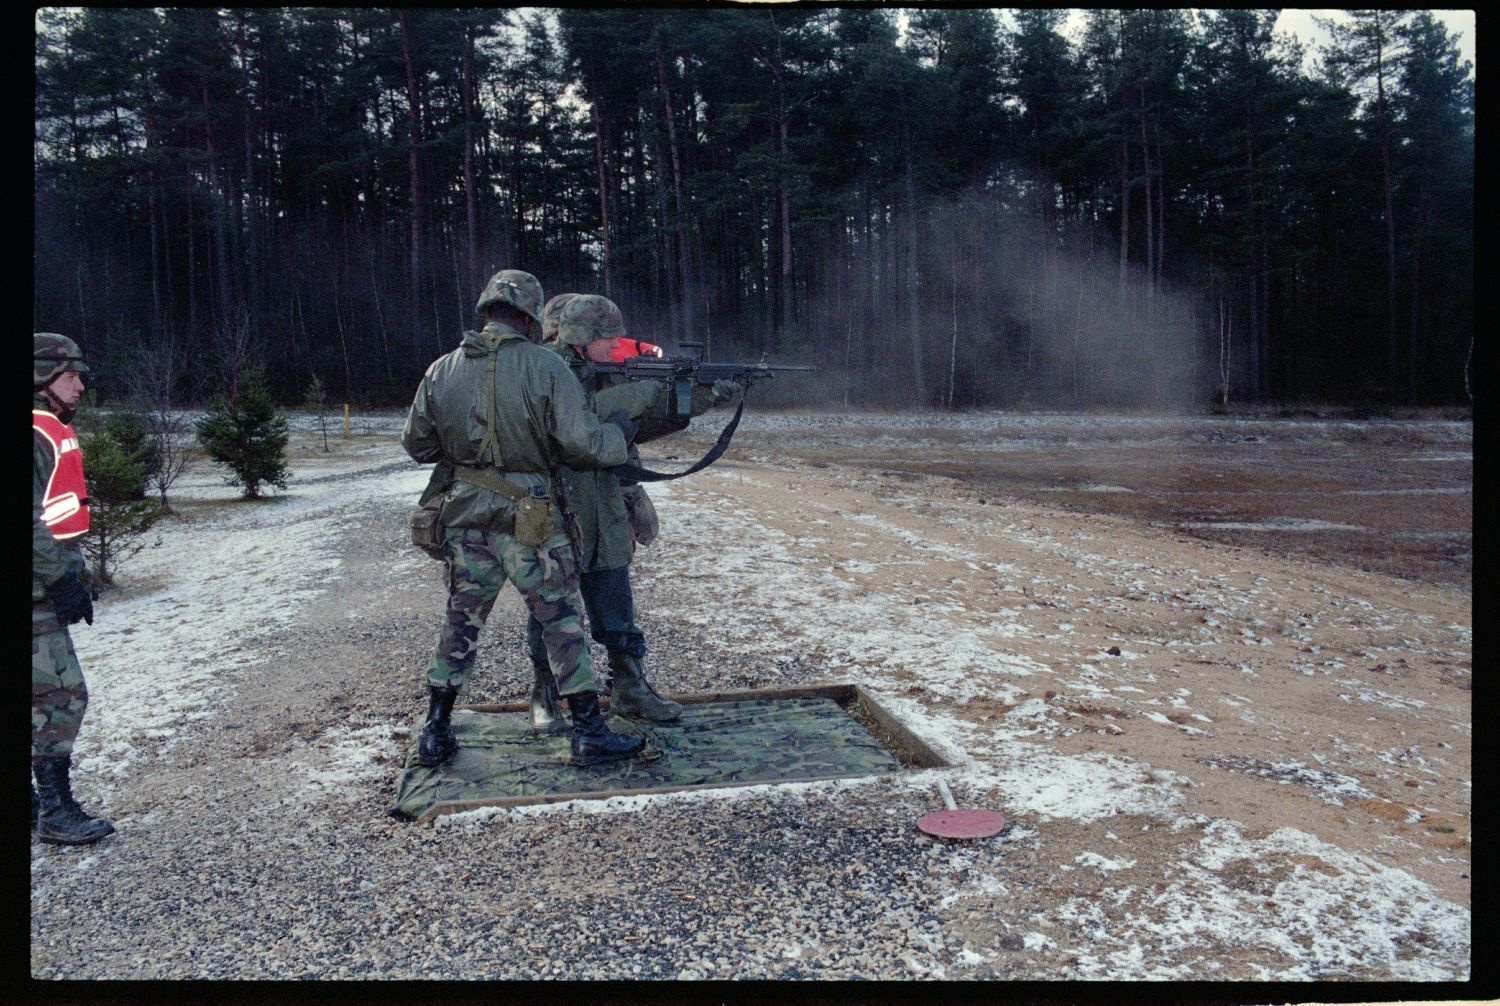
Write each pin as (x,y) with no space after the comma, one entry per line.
(1385,497)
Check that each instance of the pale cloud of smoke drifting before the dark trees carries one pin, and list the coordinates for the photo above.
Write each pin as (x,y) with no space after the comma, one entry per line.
(1009,313)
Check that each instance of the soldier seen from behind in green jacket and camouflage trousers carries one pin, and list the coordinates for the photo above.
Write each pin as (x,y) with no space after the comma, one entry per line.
(502,406)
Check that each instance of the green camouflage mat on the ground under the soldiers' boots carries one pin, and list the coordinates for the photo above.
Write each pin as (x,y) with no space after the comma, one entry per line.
(502,762)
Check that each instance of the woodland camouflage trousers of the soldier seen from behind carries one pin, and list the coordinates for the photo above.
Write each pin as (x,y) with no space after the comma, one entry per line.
(479,563)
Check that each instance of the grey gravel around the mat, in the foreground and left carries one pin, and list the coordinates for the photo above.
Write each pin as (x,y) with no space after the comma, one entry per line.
(230,866)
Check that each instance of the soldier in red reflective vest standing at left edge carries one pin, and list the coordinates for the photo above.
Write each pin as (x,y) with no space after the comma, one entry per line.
(59,593)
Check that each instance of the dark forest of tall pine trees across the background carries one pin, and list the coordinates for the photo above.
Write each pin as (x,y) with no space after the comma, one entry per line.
(938,208)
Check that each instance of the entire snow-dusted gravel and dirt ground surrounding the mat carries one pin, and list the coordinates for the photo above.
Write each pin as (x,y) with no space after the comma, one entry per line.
(1217,674)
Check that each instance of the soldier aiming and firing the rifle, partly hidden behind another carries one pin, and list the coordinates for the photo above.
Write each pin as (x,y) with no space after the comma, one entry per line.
(586,329)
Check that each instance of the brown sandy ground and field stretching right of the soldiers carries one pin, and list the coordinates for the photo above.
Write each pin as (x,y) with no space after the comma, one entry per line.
(1310,680)
